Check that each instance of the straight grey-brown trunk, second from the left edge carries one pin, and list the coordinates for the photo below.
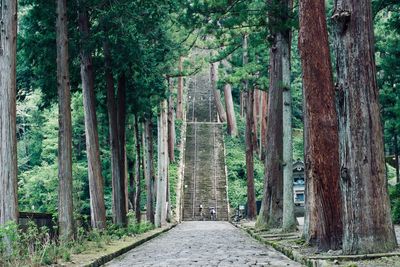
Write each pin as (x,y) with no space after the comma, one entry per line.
(65,205)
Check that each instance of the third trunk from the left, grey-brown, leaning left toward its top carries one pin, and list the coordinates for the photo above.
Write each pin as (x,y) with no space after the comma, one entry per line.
(96,188)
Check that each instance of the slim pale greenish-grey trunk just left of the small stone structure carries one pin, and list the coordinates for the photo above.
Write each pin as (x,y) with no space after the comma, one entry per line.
(289,222)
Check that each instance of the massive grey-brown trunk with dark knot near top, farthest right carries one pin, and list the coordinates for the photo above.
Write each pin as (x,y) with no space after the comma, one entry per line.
(362,164)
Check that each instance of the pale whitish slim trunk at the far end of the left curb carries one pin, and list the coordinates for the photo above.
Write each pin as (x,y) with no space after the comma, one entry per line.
(161,206)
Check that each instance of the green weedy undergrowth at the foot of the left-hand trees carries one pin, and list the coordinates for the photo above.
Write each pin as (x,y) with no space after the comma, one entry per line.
(34,246)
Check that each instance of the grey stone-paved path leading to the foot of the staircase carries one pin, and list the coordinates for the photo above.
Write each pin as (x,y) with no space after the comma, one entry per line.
(203,244)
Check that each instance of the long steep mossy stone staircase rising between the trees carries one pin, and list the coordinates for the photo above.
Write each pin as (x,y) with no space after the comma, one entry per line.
(204,174)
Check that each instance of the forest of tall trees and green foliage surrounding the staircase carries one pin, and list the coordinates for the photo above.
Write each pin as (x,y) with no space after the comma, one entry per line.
(93,98)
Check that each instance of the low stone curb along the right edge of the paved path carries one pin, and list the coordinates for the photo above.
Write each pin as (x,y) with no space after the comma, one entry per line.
(291,254)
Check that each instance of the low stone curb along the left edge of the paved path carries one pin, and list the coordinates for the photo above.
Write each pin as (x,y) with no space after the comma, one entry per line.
(106,258)
